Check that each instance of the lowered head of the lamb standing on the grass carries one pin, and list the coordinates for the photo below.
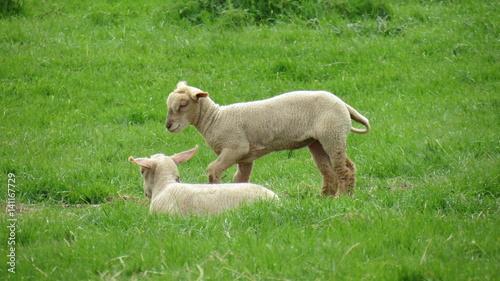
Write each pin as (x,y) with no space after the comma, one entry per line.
(183,107)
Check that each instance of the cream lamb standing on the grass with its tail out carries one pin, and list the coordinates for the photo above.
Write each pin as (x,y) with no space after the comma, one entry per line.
(242,132)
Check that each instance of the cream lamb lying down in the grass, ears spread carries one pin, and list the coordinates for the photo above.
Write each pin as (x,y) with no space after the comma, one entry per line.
(167,194)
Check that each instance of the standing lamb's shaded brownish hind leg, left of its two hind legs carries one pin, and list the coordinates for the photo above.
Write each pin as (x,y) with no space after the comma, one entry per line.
(324,165)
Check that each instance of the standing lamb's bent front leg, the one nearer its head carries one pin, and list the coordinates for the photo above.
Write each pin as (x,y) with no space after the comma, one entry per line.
(227,158)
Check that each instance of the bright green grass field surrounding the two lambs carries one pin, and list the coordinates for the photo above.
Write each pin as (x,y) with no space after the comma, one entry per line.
(83,87)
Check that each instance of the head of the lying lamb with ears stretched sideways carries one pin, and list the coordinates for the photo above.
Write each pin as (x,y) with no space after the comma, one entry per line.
(160,169)
